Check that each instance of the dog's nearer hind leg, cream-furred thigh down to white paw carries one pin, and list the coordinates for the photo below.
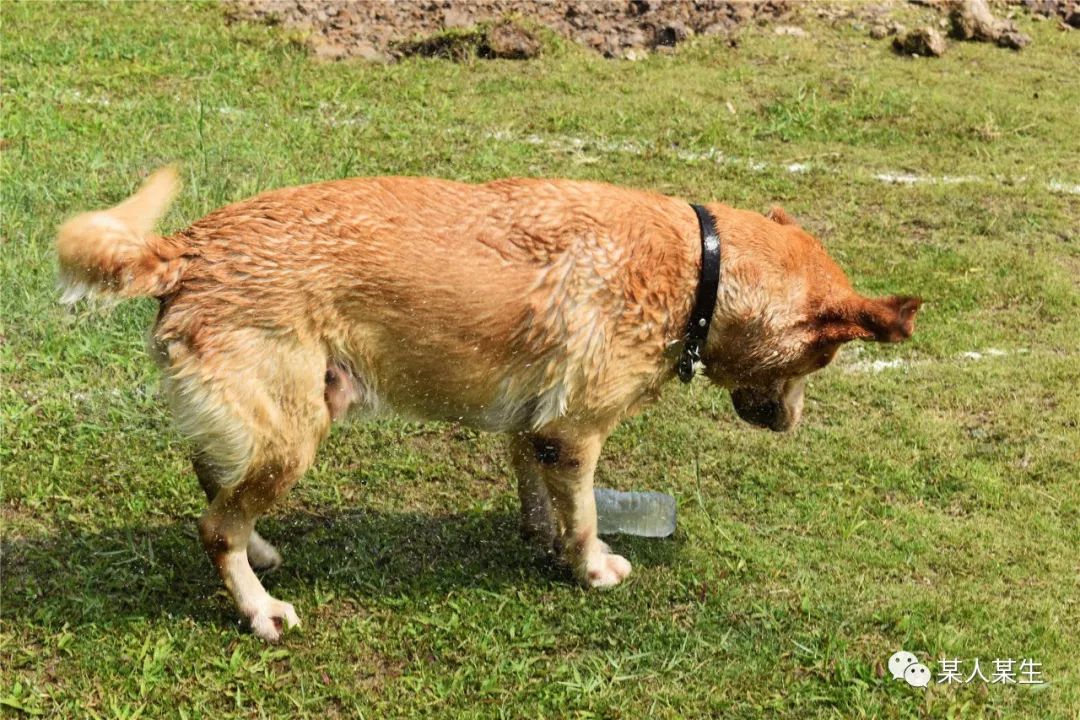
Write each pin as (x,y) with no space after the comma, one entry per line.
(258,420)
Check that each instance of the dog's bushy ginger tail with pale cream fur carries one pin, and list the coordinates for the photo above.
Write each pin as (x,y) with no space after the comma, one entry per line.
(116,252)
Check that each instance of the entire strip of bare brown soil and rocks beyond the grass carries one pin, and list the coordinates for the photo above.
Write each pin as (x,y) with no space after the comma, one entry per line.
(385,31)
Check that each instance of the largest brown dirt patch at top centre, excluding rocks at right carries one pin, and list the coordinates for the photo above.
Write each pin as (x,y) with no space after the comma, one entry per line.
(383,31)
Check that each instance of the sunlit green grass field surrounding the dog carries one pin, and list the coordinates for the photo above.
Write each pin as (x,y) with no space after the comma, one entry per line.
(934,507)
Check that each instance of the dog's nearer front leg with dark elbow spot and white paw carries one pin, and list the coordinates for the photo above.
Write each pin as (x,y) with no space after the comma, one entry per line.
(566,467)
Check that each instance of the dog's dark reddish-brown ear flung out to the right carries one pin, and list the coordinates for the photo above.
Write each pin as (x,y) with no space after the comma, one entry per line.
(883,320)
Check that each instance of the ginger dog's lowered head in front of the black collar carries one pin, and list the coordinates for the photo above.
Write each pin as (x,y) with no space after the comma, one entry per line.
(784,313)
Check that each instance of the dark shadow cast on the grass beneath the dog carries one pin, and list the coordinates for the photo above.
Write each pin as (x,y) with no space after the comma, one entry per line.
(129,573)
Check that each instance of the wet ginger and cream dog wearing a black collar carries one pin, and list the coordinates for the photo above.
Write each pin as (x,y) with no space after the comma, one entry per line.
(547,310)
